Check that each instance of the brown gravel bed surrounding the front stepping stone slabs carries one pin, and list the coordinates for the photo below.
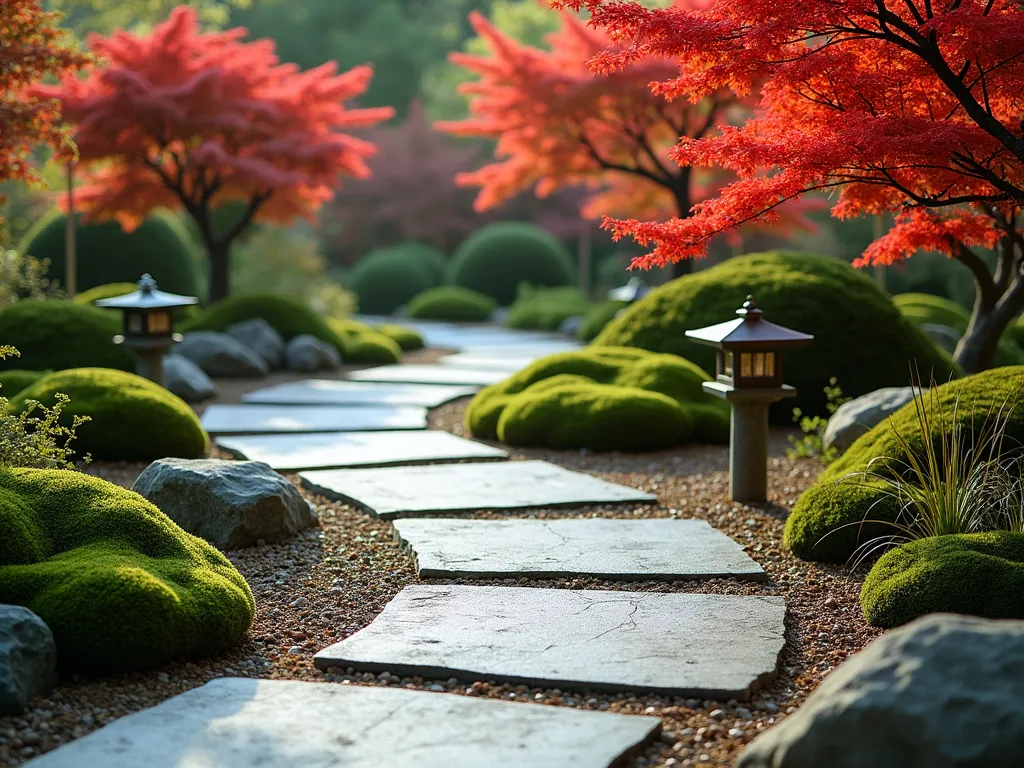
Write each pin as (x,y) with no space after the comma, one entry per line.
(331,582)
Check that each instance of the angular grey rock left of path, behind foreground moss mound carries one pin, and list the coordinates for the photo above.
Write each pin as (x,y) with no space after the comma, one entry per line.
(230,504)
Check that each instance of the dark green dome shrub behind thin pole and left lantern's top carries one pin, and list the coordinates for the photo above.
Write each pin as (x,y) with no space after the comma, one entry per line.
(106,253)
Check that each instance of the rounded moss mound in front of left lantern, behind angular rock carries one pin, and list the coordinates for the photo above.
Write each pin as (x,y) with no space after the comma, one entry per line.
(132,419)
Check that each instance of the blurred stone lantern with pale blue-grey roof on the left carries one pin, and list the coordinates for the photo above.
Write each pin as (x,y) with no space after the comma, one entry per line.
(149,325)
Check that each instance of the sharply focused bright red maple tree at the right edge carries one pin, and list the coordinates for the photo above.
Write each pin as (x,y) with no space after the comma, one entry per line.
(909,107)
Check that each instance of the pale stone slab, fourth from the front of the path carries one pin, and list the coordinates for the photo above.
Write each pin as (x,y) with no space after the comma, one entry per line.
(396,492)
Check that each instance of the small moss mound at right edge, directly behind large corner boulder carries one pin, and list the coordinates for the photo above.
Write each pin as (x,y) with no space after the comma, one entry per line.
(982,575)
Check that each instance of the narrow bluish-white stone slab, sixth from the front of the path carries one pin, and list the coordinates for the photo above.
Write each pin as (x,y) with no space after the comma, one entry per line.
(253,419)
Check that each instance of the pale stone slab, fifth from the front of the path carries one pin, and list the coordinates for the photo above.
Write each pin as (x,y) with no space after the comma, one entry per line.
(332,450)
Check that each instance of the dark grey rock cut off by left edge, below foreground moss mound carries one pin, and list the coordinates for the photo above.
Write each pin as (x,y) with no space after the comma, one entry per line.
(28,659)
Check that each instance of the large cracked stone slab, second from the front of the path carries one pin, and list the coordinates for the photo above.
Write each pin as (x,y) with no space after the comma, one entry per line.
(705,647)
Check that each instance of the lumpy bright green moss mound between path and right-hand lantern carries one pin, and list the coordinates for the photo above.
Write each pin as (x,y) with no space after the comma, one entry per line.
(594,388)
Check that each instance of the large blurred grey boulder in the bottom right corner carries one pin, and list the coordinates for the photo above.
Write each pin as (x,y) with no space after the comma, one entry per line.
(945,691)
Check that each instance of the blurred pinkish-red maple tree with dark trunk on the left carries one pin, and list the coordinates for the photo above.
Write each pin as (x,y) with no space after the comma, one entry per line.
(185,119)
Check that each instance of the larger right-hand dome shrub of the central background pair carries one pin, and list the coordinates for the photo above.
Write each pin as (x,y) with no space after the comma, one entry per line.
(497,259)
